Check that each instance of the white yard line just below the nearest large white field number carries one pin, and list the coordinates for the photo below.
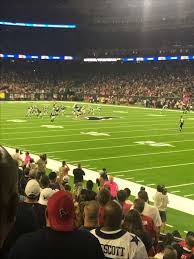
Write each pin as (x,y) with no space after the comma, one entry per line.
(136,155)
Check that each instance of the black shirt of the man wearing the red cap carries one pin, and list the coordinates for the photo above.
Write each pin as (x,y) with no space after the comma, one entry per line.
(49,244)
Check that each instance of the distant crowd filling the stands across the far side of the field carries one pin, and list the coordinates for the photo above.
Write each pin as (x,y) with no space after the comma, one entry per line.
(152,85)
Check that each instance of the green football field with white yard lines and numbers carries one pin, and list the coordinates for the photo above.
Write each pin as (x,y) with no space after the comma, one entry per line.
(143,145)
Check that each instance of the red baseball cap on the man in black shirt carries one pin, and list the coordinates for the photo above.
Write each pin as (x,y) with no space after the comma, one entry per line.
(60,210)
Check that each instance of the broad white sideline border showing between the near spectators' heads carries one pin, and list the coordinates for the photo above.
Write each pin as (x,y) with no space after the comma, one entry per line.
(176,202)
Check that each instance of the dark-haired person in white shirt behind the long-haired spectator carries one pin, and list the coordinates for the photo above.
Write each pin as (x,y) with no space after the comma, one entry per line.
(151,211)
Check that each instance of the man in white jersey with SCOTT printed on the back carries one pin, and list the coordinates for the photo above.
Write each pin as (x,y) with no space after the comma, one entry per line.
(115,242)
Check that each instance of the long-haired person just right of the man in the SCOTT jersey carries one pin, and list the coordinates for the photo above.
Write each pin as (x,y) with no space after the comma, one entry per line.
(133,224)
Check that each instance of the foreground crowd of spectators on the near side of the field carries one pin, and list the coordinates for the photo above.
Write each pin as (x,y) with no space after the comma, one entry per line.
(44,216)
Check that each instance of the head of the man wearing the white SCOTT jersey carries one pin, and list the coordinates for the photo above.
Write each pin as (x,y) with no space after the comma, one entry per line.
(112,215)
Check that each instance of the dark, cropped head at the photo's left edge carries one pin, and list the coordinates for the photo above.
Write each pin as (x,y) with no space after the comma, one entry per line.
(8,193)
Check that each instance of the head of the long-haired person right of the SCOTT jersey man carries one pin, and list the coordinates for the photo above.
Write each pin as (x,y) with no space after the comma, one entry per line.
(133,222)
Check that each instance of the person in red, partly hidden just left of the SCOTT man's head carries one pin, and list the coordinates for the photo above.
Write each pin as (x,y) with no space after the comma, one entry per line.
(103,197)
